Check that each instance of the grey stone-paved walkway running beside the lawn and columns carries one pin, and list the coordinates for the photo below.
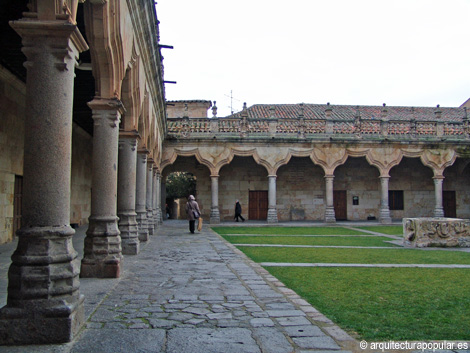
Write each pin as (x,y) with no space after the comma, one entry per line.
(192,293)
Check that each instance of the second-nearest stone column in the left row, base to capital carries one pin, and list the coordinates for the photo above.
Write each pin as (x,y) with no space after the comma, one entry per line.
(102,252)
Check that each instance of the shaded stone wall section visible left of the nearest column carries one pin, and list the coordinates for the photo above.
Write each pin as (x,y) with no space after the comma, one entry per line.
(12,93)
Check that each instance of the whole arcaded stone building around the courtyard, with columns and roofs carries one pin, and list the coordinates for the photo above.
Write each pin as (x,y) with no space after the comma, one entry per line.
(87,138)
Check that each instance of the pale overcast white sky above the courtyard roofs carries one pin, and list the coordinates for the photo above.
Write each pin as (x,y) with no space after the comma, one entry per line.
(361,52)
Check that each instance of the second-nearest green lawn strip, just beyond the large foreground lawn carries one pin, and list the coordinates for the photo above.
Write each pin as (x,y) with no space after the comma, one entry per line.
(361,256)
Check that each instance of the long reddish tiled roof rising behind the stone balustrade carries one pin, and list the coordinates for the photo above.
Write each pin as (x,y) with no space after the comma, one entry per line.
(348,112)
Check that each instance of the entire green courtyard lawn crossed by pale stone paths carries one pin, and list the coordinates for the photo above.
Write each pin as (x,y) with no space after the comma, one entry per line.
(372,303)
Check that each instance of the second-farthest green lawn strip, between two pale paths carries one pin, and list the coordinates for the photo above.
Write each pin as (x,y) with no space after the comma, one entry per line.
(303,240)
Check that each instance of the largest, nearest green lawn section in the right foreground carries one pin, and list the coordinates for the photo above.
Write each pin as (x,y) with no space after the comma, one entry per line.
(387,304)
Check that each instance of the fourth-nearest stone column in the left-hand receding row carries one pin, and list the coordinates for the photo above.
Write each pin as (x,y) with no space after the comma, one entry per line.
(141,195)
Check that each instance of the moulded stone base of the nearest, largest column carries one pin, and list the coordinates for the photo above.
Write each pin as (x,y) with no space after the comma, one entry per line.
(44,265)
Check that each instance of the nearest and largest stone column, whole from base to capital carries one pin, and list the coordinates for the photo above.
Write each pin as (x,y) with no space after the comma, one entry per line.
(44,304)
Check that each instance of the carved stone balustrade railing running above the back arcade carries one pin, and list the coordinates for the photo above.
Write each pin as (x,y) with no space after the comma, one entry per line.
(316,129)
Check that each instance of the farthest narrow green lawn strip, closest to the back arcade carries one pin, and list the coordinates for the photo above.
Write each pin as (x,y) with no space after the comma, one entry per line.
(287,230)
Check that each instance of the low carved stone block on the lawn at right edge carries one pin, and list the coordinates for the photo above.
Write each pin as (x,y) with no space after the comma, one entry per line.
(436,232)
